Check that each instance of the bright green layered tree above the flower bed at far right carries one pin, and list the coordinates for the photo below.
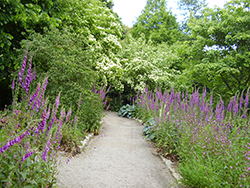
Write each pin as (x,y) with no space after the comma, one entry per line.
(221,57)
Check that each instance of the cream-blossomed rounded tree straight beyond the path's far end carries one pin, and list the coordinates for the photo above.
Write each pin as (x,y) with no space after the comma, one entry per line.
(145,65)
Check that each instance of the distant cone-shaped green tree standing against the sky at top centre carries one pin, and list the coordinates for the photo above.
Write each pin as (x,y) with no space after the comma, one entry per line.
(157,23)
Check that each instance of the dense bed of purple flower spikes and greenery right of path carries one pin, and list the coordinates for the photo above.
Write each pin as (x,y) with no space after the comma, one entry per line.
(212,144)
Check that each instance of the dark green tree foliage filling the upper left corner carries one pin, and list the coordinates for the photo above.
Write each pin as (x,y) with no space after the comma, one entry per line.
(17,20)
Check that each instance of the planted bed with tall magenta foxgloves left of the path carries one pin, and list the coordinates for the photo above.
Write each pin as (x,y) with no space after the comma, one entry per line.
(33,129)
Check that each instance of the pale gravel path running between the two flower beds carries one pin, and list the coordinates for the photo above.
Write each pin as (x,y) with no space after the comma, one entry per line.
(118,157)
